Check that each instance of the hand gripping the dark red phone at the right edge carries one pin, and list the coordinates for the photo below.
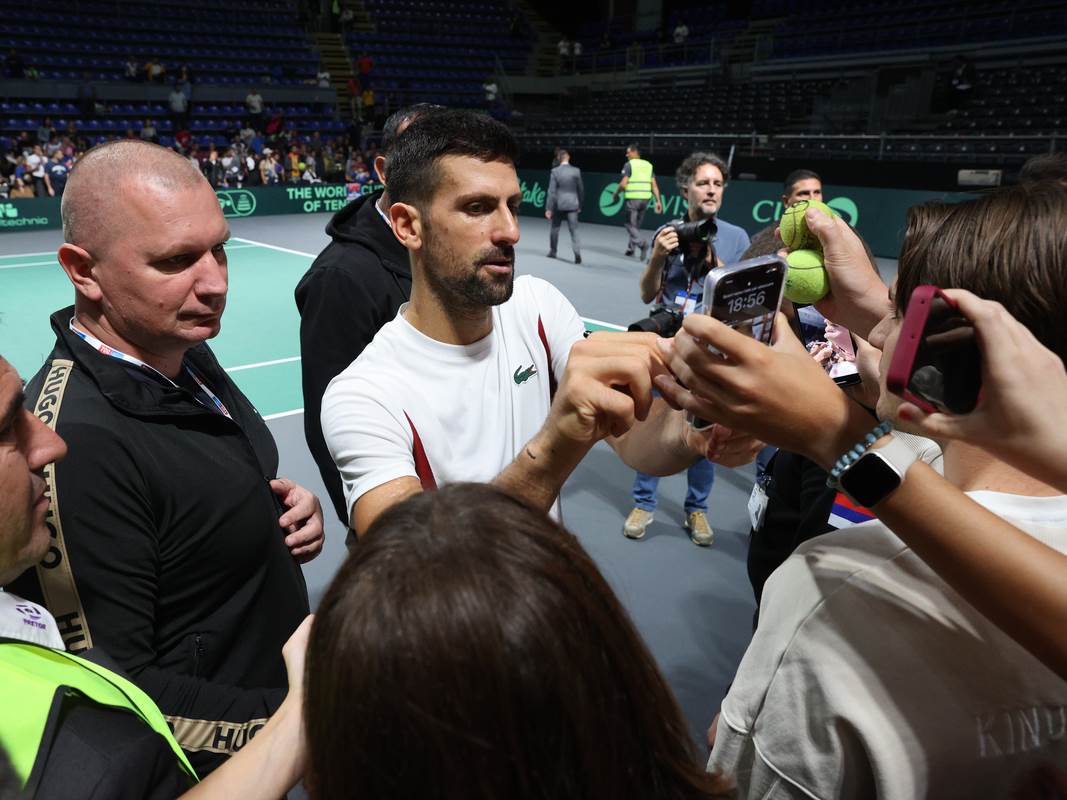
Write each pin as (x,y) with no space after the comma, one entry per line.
(1022,415)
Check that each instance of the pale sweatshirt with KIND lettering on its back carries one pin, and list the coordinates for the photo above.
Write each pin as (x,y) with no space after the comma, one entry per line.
(869,677)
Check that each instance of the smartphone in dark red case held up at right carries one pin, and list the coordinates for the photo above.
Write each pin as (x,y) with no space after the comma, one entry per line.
(937,364)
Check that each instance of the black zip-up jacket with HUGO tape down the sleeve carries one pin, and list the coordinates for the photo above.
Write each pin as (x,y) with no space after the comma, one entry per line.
(167,551)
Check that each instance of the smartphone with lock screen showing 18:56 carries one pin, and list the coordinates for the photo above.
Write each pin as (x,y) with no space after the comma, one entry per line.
(746,297)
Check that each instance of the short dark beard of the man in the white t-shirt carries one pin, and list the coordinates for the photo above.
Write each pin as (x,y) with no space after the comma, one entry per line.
(463,289)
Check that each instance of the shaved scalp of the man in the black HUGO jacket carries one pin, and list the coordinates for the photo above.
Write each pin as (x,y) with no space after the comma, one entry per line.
(93,210)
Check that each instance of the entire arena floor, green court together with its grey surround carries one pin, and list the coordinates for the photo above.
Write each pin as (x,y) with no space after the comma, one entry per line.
(694,606)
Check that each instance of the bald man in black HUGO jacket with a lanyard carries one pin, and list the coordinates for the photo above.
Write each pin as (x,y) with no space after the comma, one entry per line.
(177,558)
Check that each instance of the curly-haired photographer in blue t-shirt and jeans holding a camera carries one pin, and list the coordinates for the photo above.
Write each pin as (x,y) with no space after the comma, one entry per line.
(683,252)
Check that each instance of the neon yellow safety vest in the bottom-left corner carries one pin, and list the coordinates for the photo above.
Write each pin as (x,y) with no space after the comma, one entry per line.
(30,679)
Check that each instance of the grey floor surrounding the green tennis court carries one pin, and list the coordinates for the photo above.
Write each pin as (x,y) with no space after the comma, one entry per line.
(694,606)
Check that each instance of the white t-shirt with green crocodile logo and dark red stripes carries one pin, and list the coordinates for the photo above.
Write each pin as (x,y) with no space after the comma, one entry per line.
(413,407)
